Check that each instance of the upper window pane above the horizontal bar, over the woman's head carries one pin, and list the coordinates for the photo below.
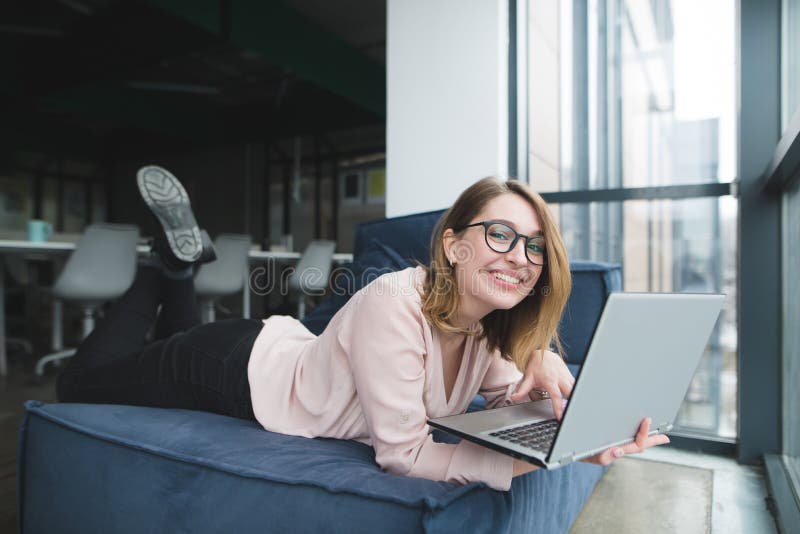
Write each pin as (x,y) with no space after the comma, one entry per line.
(630,93)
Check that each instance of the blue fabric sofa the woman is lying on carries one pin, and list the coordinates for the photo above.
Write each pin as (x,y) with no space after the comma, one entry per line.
(108,468)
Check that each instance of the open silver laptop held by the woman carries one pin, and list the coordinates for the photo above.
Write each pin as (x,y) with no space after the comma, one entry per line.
(643,354)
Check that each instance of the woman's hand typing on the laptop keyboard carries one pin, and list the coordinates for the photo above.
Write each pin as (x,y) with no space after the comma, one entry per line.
(546,371)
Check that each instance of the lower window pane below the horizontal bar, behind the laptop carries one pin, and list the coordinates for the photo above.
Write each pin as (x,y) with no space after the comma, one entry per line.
(674,246)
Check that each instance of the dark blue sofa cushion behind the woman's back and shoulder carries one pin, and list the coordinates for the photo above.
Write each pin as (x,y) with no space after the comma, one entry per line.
(376,259)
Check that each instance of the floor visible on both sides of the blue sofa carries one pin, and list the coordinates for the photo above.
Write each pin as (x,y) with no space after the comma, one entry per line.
(663,490)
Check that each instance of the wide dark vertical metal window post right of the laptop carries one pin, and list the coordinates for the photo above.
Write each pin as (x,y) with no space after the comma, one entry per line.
(759,222)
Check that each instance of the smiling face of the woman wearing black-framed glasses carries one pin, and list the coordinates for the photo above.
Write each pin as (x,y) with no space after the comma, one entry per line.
(489,280)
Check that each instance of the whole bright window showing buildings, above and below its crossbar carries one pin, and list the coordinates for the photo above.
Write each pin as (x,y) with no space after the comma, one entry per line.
(629,130)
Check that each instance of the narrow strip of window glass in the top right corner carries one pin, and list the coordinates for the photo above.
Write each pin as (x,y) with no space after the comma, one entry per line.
(790,59)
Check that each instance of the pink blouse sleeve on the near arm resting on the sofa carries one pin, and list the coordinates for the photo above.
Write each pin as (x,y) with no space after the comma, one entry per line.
(384,340)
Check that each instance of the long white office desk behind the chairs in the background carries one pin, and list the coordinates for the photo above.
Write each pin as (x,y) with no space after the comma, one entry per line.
(52,249)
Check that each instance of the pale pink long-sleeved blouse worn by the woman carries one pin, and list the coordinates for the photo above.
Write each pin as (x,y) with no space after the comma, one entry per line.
(375,375)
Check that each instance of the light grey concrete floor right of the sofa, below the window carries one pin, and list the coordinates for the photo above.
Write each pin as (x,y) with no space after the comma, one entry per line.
(668,490)
